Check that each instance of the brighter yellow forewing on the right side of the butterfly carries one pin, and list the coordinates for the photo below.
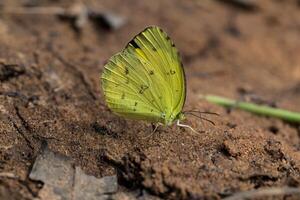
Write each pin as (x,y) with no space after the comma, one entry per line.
(166,58)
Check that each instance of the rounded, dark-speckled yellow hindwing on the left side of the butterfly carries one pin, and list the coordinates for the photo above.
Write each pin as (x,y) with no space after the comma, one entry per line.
(125,89)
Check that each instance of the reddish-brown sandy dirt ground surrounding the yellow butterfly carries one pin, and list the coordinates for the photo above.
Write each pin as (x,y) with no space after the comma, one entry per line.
(50,92)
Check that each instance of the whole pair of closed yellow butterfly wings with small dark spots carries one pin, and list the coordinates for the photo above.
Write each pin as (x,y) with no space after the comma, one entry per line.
(146,80)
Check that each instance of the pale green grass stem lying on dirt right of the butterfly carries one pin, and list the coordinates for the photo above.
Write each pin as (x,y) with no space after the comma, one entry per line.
(254,108)
